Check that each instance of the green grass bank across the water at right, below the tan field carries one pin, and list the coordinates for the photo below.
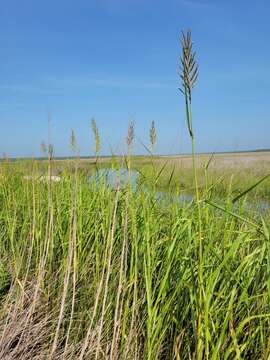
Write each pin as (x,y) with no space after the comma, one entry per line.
(219,181)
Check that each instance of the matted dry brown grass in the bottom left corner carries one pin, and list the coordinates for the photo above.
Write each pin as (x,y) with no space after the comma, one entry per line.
(26,326)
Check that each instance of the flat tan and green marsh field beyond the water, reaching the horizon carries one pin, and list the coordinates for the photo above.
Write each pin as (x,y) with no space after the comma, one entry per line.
(233,172)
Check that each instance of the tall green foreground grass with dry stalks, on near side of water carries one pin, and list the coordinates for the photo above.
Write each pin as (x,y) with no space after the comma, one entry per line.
(90,272)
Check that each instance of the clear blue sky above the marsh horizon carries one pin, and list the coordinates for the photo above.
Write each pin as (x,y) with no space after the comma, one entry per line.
(117,60)
